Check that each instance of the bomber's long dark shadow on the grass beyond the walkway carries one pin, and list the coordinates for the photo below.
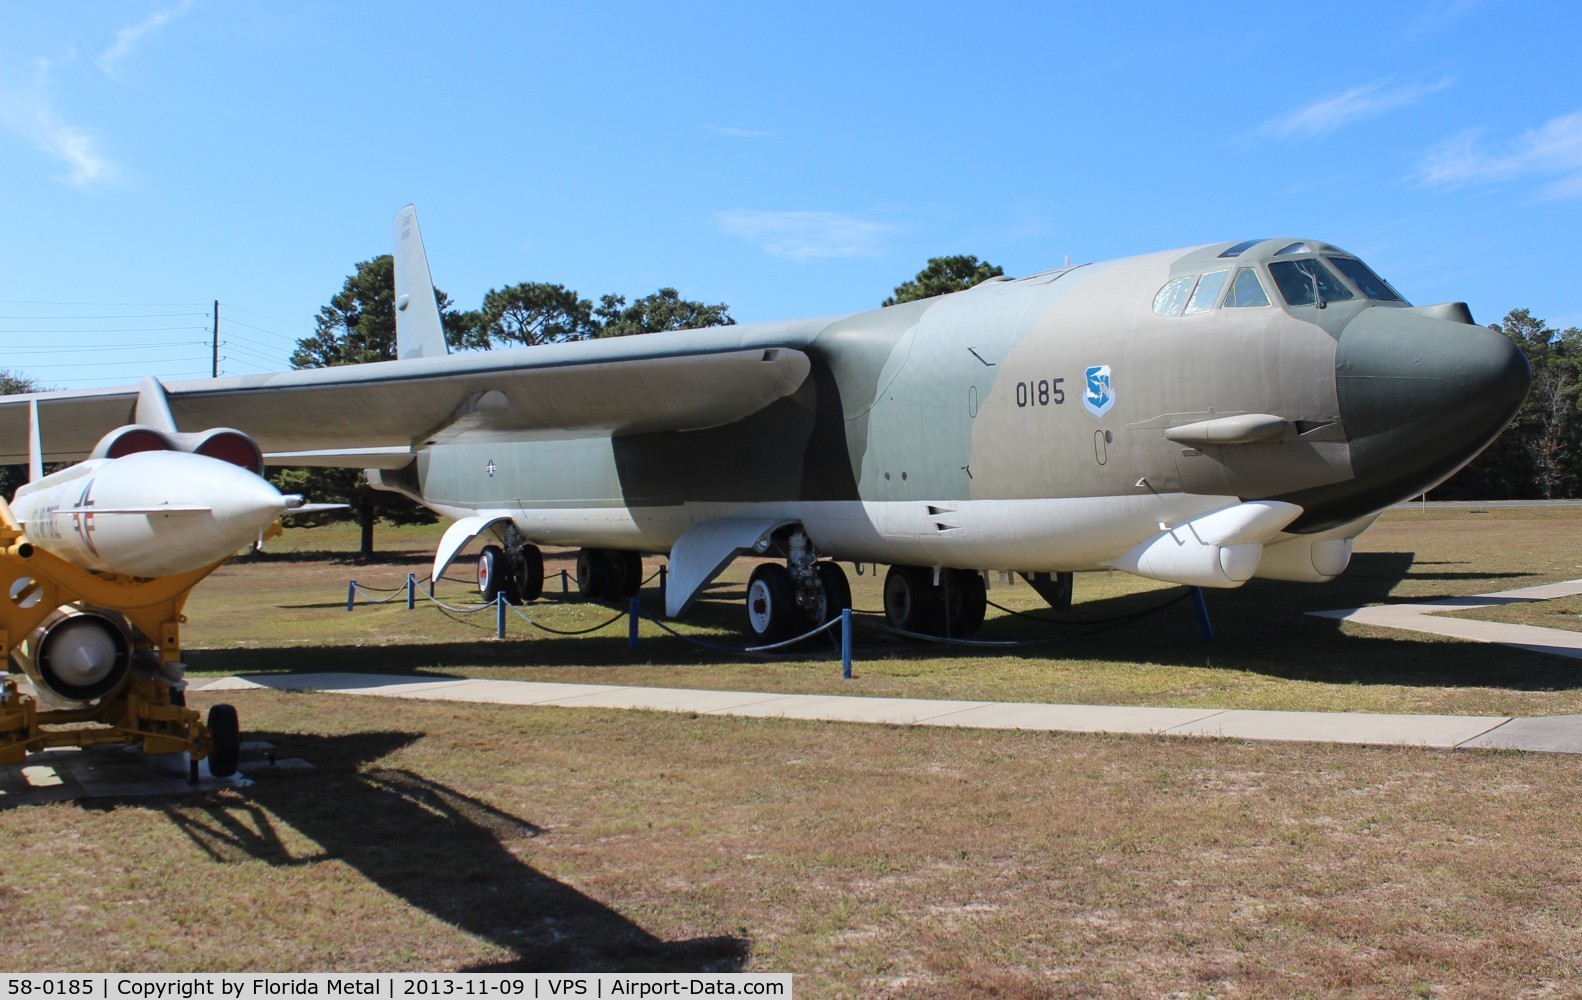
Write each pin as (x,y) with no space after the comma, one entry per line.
(1262,629)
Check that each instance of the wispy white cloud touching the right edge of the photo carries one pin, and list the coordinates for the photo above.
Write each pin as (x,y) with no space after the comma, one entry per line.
(1554,150)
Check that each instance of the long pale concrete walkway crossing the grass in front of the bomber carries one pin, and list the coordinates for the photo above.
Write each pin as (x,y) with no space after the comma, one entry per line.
(1439,732)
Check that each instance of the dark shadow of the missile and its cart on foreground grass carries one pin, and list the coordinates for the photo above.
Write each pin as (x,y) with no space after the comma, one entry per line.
(439,850)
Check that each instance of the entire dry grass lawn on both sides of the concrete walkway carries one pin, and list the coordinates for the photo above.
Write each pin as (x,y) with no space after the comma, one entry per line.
(868,860)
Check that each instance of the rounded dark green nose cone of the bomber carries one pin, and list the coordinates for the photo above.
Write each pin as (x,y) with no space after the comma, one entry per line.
(1420,398)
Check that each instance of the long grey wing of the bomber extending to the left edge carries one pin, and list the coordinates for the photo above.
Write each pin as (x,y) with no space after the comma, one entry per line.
(376,415)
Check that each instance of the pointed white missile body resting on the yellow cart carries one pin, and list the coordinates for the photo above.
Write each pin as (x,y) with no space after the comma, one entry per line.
(149,513)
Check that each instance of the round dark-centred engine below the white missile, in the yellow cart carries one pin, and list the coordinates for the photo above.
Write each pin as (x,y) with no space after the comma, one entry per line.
(77,656)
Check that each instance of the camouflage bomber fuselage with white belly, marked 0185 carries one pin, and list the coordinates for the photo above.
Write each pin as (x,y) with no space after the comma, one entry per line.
(1023,425)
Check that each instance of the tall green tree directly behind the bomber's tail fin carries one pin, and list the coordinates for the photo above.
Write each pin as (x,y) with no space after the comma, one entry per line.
(360,327)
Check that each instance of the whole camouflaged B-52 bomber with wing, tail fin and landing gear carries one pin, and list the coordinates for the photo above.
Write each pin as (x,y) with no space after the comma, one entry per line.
(1200,417)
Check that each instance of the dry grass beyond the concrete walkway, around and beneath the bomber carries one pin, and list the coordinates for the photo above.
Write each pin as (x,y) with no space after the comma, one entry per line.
(1268,653)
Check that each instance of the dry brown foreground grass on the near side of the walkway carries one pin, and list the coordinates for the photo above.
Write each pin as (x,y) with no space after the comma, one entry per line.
(869,860)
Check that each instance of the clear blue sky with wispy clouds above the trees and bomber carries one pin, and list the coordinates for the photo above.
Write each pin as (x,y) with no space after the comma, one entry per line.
(790,161)
